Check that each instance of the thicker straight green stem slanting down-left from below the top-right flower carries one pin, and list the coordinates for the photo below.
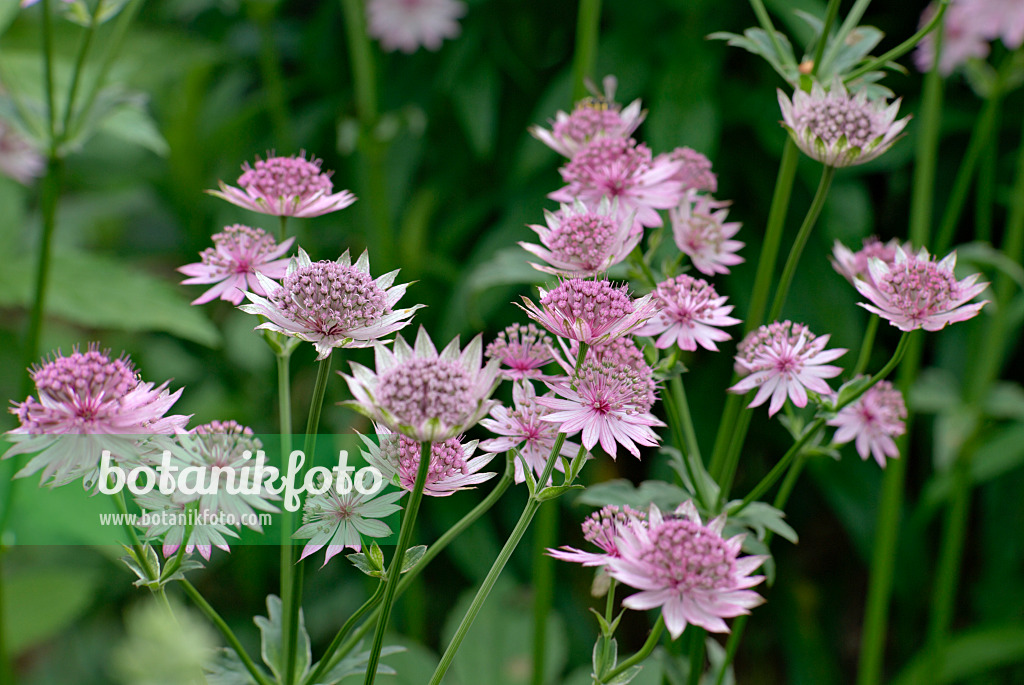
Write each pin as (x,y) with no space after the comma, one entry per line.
(721,464)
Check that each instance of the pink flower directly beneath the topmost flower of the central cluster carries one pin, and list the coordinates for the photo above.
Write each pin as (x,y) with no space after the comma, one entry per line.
(621,169)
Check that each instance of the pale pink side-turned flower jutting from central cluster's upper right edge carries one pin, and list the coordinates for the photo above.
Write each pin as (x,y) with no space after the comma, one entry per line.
(702,234)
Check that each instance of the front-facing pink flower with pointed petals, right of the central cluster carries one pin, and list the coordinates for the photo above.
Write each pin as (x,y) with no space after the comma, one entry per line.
(785,359)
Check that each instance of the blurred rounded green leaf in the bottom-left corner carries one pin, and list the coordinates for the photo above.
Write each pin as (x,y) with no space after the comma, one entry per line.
(39,604)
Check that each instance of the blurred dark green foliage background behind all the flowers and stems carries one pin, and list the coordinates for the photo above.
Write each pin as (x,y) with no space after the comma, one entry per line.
(463,179)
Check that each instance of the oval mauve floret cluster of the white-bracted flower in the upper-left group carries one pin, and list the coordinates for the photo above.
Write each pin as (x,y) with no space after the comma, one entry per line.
(331,297)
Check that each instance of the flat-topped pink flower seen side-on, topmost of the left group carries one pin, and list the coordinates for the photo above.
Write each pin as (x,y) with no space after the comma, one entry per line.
(286,187)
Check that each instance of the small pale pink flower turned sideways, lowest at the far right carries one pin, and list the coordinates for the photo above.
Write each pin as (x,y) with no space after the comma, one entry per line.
(874,421)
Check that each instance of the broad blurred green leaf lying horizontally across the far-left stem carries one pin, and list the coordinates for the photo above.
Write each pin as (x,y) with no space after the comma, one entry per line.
(102,293)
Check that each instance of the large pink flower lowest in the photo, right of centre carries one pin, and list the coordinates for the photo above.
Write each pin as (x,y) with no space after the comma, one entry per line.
(687,569)
